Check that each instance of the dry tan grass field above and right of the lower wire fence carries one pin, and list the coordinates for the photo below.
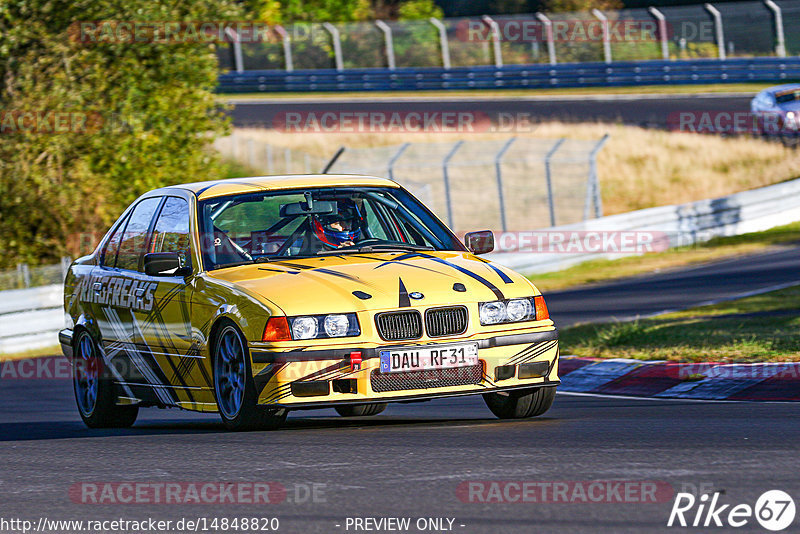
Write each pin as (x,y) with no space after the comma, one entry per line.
(638,168)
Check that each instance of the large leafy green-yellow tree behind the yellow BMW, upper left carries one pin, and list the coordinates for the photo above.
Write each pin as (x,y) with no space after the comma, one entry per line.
(143,115)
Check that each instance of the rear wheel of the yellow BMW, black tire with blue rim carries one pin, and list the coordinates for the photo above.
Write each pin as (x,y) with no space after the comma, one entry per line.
(95,395)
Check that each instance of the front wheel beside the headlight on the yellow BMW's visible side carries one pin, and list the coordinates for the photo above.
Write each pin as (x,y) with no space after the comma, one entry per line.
(234,388)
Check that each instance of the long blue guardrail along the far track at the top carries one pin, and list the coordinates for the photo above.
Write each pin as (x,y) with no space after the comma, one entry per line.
(598,74)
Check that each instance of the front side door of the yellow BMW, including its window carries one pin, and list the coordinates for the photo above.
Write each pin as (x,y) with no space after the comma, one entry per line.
(163,330)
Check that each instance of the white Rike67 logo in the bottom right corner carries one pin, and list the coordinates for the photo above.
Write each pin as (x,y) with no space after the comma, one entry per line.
(774,510)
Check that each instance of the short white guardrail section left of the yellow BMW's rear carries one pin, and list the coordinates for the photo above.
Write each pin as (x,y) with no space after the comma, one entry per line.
(30,318)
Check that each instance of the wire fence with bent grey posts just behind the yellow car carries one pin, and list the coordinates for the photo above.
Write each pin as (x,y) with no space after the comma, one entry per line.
(518,183)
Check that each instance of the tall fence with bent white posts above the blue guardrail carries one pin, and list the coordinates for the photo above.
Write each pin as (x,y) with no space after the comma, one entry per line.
(743,29)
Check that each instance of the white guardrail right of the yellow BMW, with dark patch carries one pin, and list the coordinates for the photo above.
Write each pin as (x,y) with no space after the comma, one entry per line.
(678,225)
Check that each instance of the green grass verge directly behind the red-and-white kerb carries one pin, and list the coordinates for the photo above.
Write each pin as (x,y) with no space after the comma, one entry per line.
(754,329)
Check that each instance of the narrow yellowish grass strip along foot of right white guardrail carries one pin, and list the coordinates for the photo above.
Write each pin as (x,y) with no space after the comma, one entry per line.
(718,248)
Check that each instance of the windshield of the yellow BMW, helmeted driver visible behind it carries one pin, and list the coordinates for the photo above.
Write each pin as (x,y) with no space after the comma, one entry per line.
(256,227)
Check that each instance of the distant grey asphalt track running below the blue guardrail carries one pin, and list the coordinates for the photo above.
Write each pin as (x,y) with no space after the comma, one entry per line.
(650,111)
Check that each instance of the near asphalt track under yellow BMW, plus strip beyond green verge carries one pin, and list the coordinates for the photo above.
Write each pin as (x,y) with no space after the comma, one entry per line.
(410,460)
